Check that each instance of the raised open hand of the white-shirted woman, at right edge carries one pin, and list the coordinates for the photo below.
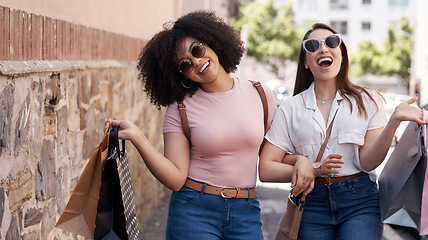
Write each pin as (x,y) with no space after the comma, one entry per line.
(406,112)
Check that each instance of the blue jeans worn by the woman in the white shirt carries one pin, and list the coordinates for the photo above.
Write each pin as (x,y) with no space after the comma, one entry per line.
(346,210)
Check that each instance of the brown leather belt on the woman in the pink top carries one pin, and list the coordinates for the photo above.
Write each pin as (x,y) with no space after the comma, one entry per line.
(224,192)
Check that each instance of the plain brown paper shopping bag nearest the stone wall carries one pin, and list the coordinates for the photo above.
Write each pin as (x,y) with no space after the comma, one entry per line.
(79,214)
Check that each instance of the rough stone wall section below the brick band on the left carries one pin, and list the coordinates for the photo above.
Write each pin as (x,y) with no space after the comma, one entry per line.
(51,118)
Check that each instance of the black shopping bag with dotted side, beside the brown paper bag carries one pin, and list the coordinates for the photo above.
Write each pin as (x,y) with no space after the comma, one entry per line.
(116,213)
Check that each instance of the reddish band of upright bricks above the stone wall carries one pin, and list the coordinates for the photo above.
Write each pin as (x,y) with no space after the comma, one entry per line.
(41,38)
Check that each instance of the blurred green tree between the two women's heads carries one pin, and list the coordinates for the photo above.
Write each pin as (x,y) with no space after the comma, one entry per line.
(273,37)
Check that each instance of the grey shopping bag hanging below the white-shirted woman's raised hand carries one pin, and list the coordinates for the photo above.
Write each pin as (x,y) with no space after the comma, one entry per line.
(401,180)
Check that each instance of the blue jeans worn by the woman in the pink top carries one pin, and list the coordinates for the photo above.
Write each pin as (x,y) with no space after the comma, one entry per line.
(197,215)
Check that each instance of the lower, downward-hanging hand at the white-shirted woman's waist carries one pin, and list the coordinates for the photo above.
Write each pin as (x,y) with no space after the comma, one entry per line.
(302,178)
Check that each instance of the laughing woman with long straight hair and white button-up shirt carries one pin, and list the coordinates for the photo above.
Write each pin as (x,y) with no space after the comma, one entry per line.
(341,191)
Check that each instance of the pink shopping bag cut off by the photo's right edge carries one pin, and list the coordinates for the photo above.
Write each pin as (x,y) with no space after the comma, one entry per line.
(423,228)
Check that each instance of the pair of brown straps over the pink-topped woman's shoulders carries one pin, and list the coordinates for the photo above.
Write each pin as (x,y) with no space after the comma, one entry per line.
(185,123)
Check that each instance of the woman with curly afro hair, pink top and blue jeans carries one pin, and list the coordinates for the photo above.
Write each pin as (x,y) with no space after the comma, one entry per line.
(213,172)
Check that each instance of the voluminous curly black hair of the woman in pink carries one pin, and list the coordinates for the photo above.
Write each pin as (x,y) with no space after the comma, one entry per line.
(157,68)
